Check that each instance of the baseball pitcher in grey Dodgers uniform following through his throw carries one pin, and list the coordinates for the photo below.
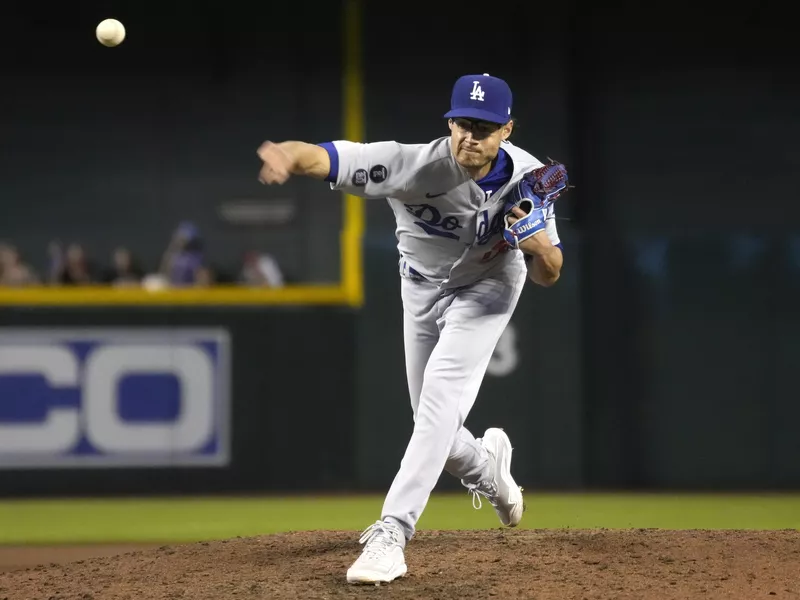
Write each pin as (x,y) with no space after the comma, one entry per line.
(475,220)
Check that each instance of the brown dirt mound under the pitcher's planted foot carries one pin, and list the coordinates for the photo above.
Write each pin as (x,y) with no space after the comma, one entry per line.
(541,564)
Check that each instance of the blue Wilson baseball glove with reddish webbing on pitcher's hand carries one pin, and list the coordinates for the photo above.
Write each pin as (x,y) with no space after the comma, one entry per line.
(534,194)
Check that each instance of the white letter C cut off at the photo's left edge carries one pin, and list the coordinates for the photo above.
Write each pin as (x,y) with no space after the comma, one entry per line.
(60,430)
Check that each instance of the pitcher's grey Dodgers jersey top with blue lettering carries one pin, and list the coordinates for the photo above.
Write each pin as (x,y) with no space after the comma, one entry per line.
(449,227)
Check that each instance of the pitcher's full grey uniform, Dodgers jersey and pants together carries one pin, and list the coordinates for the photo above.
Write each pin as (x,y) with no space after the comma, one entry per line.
(460,285)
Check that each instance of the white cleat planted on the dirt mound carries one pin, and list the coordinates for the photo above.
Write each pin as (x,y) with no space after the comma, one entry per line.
(382,559)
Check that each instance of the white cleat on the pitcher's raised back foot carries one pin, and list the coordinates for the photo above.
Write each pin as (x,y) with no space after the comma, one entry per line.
(501,490)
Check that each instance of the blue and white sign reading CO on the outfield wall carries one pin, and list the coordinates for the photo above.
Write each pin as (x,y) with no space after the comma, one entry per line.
(114,398)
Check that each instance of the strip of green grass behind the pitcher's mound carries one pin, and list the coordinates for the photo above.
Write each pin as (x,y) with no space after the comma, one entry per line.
(181,519)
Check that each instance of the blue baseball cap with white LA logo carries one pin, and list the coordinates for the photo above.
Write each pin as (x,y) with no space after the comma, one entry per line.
(481,97)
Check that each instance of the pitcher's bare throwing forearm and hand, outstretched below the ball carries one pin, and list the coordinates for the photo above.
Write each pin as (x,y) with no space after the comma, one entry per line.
(284,159)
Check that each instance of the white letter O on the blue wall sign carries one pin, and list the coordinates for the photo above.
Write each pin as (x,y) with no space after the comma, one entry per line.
(107,365)
